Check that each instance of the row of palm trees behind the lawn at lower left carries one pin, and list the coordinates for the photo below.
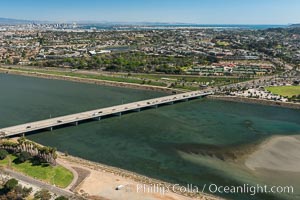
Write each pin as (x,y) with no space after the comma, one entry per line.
(46,154)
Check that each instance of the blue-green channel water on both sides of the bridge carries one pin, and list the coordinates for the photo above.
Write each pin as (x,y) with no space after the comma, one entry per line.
(187,143)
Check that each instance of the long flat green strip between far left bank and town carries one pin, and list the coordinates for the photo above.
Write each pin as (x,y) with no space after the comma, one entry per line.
(164,80)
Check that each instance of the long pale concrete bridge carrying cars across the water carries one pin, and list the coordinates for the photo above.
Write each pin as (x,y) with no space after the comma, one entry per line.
(75,119)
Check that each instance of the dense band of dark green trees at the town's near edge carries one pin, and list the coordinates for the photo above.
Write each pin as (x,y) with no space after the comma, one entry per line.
(129,62)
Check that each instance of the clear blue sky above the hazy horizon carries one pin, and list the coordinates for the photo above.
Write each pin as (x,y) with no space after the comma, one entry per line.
(184,11)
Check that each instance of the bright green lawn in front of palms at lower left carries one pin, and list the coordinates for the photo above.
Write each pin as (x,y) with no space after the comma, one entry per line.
(57,175)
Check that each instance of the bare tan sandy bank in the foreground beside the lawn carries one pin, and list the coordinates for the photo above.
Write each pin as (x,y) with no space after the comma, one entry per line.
(102,180)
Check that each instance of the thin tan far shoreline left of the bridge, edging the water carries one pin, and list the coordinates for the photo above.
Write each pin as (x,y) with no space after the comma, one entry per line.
(89,81)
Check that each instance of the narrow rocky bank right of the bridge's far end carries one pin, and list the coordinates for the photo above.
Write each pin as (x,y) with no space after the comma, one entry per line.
(255,101)
